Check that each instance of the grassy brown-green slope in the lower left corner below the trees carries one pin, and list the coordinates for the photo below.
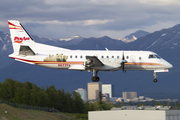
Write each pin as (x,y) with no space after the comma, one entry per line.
(22,114)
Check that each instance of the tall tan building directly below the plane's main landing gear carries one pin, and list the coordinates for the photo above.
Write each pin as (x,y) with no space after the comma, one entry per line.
(93,90)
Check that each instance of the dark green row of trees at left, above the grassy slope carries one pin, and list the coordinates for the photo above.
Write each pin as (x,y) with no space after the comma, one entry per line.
(30,94)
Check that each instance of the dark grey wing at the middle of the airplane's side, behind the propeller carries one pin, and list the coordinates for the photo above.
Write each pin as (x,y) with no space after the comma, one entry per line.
(93,61)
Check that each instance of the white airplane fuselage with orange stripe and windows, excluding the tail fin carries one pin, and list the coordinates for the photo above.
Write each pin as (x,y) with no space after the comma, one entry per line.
(75,59)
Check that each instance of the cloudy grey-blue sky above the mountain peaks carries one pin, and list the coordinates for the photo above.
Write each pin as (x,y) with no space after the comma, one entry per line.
(90,18)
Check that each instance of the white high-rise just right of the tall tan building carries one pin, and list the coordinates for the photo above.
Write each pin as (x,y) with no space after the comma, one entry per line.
(107,88)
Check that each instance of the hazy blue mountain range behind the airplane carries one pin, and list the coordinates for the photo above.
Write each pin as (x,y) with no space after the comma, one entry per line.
(165,42)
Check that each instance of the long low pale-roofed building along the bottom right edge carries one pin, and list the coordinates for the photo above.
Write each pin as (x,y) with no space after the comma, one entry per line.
(135,115)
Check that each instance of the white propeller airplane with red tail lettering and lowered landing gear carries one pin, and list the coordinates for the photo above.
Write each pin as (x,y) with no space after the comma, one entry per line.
(28,51)
